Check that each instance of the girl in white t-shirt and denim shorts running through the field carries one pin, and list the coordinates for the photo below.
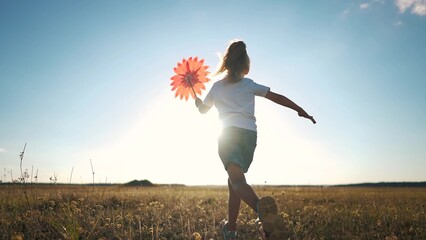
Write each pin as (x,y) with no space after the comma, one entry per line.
(233,96)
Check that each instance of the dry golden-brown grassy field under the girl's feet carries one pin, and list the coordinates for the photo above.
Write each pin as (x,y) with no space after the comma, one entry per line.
(113,212)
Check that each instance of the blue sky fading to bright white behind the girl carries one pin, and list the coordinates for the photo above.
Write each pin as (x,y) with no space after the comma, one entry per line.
(89,80)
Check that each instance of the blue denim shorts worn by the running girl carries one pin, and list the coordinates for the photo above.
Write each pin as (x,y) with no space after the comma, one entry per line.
(237,145)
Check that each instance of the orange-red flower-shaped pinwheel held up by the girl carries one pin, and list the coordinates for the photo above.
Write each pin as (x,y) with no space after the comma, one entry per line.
(190,75)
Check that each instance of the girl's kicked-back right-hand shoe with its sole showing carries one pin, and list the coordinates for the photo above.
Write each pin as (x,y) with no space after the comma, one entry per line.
(272,224)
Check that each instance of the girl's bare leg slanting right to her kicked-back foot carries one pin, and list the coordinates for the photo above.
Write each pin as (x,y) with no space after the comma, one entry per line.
(240,186)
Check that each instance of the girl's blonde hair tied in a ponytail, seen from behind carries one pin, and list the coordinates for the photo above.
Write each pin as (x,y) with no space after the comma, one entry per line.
(235,62)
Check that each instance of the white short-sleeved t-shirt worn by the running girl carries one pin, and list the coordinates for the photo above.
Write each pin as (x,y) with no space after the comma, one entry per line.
(235,102)
